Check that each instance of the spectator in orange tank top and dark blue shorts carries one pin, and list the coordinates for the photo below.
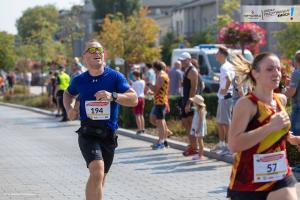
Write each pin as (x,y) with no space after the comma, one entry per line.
(158,112)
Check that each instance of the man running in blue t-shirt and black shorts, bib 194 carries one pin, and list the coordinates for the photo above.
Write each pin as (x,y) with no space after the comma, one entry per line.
(100,91)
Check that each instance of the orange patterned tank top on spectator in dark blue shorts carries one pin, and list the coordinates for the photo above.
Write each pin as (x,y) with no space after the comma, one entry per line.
(161,96)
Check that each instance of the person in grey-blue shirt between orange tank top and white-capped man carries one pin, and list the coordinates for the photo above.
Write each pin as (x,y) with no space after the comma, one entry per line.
(176,77)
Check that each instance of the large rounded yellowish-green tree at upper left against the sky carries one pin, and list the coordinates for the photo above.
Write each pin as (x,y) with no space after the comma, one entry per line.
(36,29)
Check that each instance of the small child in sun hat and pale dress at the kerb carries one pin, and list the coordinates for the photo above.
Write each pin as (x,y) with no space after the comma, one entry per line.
(198,129)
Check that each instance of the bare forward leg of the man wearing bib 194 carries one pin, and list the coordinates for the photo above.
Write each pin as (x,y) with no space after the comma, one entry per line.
(94,186)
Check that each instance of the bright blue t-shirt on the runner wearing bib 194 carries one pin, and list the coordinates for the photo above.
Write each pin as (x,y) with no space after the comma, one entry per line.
(86,87)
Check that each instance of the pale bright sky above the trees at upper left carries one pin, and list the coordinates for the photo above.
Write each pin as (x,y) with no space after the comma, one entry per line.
(11,10)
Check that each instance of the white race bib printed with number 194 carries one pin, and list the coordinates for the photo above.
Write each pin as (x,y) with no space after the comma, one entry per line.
(97,110)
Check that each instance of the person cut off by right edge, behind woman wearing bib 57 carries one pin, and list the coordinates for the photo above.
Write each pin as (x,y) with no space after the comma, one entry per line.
(294,91)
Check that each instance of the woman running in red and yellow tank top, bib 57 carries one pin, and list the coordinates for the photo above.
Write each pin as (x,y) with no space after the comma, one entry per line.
(258,133)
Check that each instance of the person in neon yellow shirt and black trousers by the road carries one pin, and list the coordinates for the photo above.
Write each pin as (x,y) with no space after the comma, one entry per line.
(63,81)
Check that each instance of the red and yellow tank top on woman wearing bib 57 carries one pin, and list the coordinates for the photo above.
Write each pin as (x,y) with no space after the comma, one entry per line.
(242,174)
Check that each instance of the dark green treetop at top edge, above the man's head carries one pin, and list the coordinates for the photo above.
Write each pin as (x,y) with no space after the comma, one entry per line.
(104,7)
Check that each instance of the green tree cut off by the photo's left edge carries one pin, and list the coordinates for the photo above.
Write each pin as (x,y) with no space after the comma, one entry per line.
(7,54)
